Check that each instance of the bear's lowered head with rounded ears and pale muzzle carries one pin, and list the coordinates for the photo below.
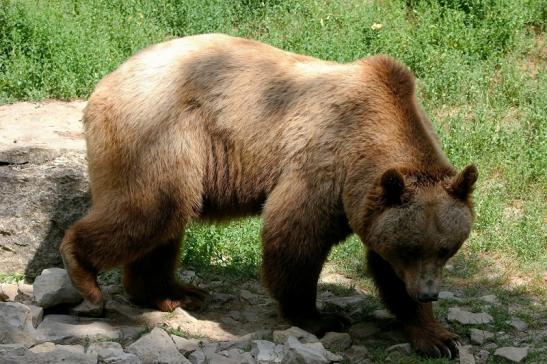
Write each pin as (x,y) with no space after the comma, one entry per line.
(416,221)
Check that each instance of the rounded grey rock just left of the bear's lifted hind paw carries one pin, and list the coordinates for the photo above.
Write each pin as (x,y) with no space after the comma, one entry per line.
(53,287)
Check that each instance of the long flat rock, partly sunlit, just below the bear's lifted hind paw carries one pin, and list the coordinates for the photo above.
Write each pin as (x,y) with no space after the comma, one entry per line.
(64,329)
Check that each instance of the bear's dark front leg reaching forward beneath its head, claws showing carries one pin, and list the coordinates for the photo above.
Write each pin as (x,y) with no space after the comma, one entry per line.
(425,333)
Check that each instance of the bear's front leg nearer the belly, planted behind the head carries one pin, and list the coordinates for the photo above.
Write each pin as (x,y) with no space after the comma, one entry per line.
(300,227)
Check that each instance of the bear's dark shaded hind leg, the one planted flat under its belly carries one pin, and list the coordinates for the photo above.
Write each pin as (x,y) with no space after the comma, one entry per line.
(150,280)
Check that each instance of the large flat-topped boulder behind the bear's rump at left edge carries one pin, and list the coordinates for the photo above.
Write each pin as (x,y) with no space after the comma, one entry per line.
(43,182)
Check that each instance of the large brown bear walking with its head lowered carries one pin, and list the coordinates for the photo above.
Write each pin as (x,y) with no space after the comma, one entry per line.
(212,127)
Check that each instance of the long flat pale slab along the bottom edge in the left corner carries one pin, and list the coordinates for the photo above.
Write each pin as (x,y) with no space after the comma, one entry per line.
(46,354)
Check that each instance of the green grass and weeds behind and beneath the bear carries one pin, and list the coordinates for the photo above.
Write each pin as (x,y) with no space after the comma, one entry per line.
(481,76)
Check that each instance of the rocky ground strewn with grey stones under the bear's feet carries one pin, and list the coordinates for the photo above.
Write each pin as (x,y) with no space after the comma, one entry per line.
(47,322)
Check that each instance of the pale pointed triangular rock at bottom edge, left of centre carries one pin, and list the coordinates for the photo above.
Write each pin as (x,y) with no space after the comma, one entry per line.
(156,347)
